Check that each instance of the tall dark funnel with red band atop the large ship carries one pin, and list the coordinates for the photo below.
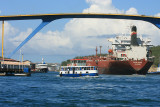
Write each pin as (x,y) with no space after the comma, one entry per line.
(134,36)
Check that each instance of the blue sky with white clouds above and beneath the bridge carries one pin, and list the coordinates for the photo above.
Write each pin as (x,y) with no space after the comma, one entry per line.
(66,38)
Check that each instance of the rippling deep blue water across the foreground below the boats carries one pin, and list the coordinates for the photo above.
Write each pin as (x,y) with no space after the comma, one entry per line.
(48,89)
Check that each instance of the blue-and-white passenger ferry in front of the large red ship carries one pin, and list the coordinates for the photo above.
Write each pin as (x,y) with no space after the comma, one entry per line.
(78,71)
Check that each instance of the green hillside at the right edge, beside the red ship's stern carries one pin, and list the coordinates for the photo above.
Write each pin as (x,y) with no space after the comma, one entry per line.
(156,52)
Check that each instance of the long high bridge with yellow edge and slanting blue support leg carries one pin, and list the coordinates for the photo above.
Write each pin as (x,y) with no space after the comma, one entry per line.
(47,18)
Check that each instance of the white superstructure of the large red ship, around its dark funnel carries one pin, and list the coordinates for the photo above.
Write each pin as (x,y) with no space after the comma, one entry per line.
(124,50)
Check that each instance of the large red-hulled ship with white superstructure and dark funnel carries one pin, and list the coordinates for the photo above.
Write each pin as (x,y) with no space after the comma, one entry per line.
(128,55)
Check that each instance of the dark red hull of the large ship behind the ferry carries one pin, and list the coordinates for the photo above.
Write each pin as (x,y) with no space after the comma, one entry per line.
(121,67)
